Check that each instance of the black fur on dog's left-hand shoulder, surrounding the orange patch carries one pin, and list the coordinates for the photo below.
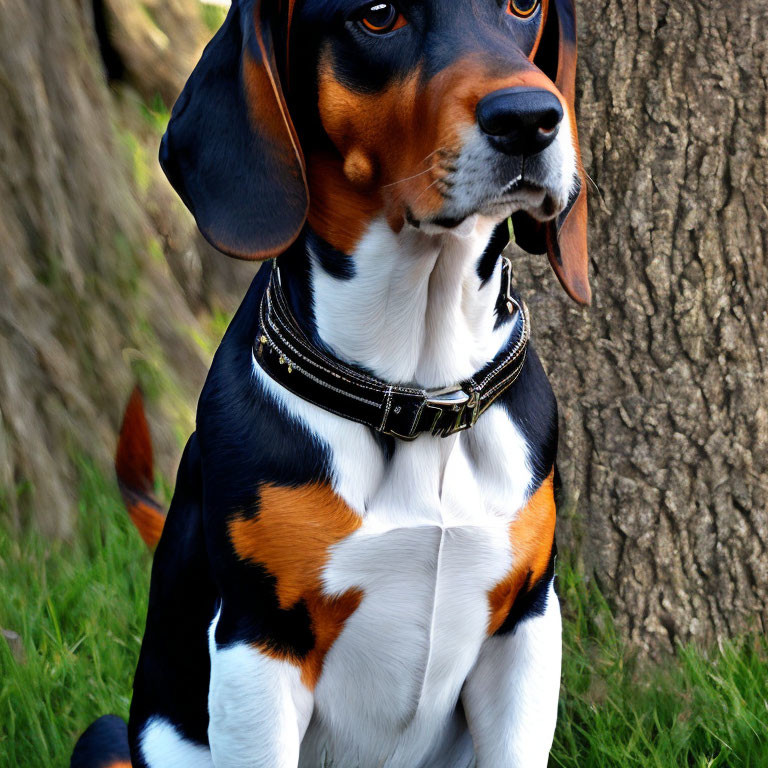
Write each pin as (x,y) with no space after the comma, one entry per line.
(247,441)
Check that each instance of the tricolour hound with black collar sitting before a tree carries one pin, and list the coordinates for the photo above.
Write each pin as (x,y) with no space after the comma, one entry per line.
(357,567)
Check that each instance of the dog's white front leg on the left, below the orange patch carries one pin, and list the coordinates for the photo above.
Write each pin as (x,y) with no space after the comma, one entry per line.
(259,709)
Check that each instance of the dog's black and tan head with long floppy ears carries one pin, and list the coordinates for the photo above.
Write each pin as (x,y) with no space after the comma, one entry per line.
(426,112)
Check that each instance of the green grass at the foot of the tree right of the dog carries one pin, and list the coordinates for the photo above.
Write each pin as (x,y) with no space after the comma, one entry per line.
(698,709)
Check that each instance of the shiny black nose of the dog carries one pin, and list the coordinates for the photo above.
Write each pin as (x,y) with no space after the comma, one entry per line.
(520,121)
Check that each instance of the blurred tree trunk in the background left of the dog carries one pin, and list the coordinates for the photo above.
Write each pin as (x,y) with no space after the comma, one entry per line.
(88,302)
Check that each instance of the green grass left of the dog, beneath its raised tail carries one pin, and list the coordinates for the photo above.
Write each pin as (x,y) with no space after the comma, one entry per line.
(79,608)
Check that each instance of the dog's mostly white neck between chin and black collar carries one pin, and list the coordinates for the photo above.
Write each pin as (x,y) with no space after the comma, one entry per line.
(411,307)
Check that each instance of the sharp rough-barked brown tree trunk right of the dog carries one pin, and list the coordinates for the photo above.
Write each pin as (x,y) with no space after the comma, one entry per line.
(662,382)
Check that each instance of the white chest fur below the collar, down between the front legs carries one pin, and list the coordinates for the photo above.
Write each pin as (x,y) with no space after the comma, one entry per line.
(433,544)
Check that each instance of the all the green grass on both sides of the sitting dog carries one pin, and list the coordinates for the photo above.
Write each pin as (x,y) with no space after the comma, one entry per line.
(79,608)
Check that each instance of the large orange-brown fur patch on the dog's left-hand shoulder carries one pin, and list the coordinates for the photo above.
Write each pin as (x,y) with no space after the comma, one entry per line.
(291,538)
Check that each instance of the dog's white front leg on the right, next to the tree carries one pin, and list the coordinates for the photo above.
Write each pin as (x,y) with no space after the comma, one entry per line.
(510,697)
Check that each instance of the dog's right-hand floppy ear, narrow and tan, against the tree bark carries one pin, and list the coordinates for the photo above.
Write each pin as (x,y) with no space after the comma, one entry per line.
(565,239)
